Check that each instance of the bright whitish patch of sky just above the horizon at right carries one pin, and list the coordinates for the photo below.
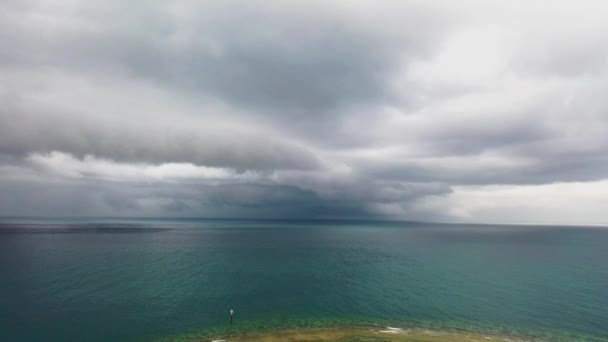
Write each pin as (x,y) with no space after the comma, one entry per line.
(558,203)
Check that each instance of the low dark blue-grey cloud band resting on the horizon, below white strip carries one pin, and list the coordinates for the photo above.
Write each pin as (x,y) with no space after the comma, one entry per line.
(131,199)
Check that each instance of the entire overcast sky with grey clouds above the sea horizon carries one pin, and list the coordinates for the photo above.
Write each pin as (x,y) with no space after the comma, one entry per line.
(449,111)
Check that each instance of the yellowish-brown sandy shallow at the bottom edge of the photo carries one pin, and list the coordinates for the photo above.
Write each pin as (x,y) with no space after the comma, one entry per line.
(360,334)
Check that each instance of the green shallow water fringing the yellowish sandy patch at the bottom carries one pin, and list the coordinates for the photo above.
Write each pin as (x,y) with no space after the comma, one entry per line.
(350,328)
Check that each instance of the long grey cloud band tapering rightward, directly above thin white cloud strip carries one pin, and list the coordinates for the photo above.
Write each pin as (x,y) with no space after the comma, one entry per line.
(44,132)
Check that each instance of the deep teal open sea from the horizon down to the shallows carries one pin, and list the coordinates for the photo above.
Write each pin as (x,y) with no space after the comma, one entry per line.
(99,280)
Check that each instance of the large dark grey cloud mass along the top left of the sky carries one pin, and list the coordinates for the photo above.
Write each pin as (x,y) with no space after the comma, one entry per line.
(300,60)
